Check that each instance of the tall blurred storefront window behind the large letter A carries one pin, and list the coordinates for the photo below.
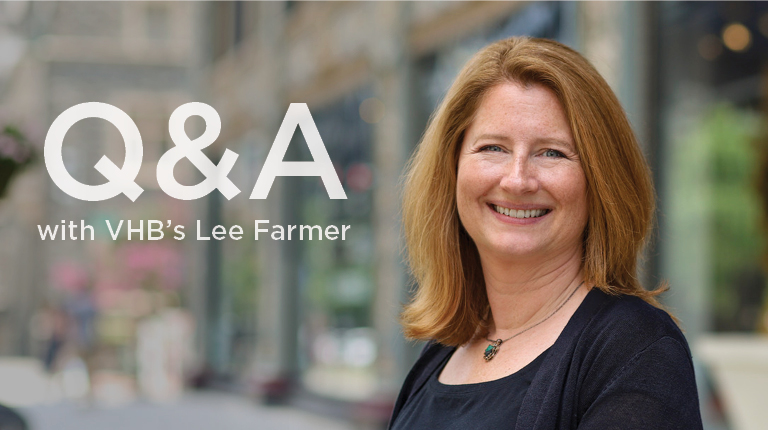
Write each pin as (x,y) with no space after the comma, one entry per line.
(336,277)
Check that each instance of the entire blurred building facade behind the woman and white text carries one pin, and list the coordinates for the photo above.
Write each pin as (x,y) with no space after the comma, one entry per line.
(321,316)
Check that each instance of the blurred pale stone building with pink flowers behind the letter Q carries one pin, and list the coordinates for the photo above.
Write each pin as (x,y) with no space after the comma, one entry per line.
(111,308)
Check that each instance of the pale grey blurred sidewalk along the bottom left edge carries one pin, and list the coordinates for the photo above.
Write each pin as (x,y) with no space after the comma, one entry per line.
(195,411)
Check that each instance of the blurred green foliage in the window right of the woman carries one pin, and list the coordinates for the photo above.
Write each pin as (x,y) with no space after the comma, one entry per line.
(727,138)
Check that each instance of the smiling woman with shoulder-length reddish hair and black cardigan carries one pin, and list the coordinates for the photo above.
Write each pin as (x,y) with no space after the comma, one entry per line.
(525,209)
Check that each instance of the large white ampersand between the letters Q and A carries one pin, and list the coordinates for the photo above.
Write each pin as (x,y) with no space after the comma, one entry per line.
(215,174)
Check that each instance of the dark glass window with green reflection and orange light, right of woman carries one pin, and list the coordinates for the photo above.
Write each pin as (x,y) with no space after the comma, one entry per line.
(713,57)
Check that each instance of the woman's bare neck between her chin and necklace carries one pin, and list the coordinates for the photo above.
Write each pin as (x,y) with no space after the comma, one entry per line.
(521,294)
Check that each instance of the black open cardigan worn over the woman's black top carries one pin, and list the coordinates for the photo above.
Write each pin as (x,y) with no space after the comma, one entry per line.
(619,363)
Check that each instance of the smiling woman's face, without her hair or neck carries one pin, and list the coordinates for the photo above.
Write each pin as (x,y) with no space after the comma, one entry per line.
(521,191)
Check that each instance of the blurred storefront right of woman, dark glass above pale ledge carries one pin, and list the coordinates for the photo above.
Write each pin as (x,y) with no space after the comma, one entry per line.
(710,108)
